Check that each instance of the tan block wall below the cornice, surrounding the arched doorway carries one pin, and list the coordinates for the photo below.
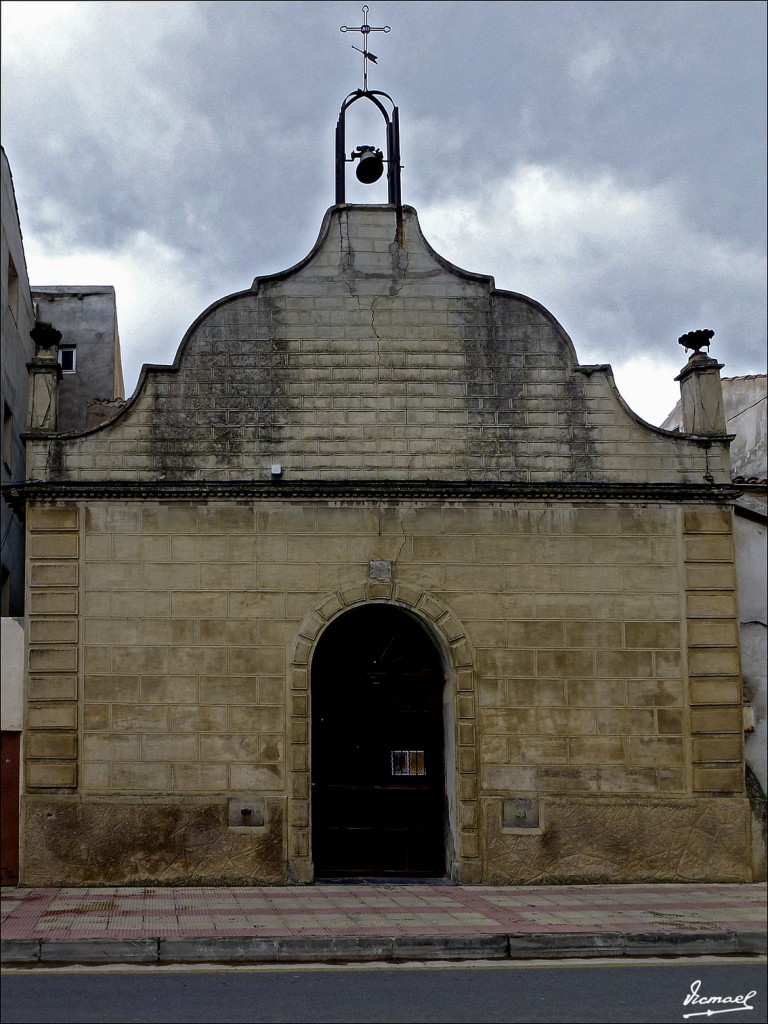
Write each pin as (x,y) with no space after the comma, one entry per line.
(591,657)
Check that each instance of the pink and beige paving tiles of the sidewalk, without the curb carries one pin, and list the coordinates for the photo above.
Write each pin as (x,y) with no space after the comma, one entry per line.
(388,909)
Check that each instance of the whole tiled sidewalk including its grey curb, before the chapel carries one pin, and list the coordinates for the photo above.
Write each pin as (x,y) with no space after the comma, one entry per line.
(378,922)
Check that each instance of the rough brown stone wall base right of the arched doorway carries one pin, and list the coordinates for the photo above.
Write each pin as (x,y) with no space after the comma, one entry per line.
(590,842)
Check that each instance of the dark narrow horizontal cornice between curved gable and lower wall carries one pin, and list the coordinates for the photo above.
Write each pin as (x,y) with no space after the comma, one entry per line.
(365,491)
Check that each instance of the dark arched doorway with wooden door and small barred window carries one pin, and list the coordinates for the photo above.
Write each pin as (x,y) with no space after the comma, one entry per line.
(378,779)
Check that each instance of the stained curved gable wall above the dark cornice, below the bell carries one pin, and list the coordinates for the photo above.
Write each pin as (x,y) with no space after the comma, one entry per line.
(375,359)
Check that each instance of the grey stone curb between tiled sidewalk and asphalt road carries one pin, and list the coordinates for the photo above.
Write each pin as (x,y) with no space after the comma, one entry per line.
(336,950)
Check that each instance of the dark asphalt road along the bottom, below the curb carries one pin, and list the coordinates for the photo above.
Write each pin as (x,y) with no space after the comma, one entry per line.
(570,992)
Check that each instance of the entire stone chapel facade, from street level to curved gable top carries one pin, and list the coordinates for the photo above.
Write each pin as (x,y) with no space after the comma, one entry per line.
(377,580)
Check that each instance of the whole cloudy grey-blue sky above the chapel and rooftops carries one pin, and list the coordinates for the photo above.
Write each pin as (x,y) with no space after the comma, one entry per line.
(606,158)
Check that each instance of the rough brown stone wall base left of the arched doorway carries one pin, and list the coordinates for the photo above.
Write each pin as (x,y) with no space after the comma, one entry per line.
(70,841)
